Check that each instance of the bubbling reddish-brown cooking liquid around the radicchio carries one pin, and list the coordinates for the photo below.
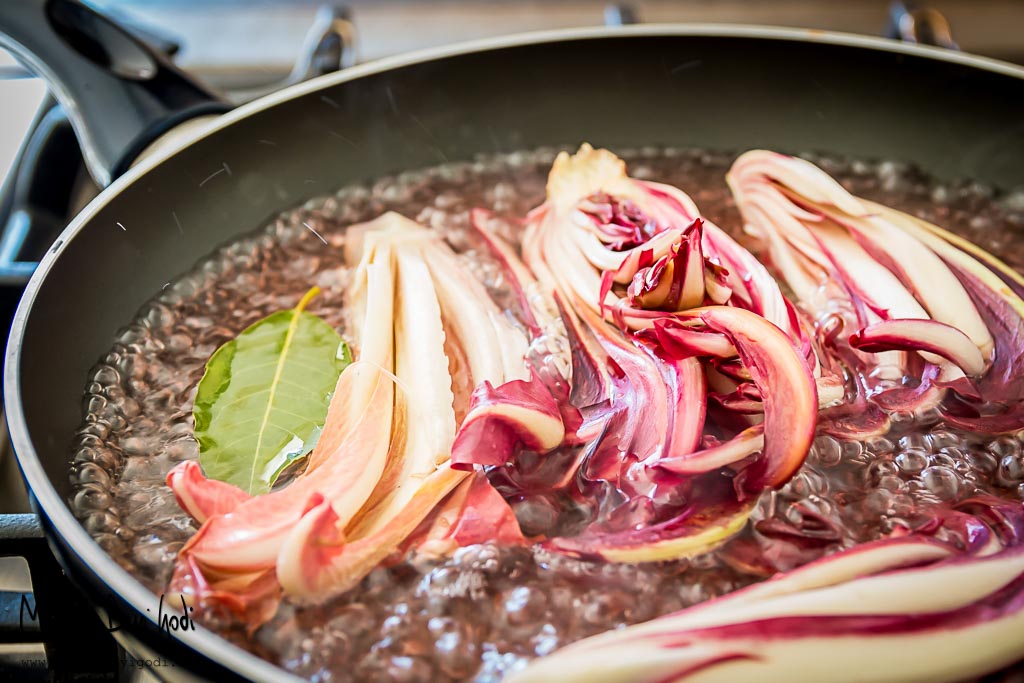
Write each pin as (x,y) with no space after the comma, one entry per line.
(488,611)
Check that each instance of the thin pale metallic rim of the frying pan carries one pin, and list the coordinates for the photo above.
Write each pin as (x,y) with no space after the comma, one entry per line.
(46,496)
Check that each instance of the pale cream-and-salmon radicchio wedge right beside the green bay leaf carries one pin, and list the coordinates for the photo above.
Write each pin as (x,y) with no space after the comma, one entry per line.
(381,466)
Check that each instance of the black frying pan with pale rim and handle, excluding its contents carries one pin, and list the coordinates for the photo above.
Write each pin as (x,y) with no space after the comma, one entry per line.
(707,87)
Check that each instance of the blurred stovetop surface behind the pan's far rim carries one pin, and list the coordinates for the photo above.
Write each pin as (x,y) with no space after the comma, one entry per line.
(224,34)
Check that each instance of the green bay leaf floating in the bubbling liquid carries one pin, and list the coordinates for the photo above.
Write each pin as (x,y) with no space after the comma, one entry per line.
(264,399)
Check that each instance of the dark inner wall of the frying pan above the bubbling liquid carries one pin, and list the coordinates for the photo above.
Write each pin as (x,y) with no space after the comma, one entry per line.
(712,93)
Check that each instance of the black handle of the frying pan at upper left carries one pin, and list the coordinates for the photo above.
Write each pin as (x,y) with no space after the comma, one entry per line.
(119,94)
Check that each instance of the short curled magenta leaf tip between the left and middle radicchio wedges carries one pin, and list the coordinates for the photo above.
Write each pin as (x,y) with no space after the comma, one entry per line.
(501,421)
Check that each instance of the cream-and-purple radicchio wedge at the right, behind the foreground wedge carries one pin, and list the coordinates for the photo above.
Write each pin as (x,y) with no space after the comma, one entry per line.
(873,269)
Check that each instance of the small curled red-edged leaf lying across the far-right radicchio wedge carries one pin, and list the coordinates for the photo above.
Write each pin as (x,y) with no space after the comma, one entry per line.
(922,335)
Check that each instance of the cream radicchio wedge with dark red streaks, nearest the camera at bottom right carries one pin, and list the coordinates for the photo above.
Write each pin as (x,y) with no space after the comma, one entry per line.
(919,611)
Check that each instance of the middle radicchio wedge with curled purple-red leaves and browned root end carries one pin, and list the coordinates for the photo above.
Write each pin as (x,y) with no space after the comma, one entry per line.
(632,264)
